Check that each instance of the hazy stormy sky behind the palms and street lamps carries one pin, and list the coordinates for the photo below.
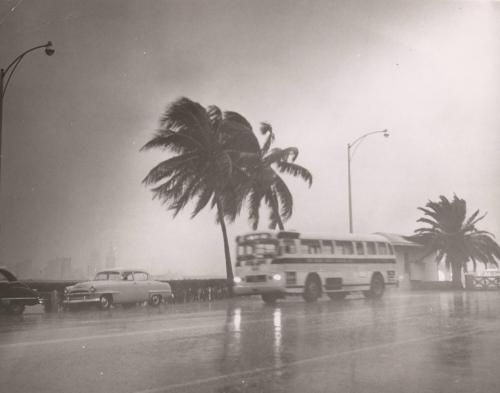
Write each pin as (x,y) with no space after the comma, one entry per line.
(322,72)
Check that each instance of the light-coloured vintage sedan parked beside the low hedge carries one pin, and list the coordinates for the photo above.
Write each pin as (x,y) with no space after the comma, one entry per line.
(118,286)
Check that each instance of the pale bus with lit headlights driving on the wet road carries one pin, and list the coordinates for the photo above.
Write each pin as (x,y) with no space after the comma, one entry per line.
(275,264)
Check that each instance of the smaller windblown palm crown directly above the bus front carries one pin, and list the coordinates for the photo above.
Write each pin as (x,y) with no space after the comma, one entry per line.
(263,183)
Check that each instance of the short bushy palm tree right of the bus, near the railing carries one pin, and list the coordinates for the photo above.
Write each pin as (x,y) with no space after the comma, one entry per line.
(454,237)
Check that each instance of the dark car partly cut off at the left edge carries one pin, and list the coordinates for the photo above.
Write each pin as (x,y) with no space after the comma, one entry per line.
(14,295)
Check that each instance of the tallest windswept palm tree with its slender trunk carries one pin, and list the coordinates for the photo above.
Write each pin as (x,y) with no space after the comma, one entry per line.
(205,143)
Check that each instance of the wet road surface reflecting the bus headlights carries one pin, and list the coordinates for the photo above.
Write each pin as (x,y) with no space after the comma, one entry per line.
(405,342)
